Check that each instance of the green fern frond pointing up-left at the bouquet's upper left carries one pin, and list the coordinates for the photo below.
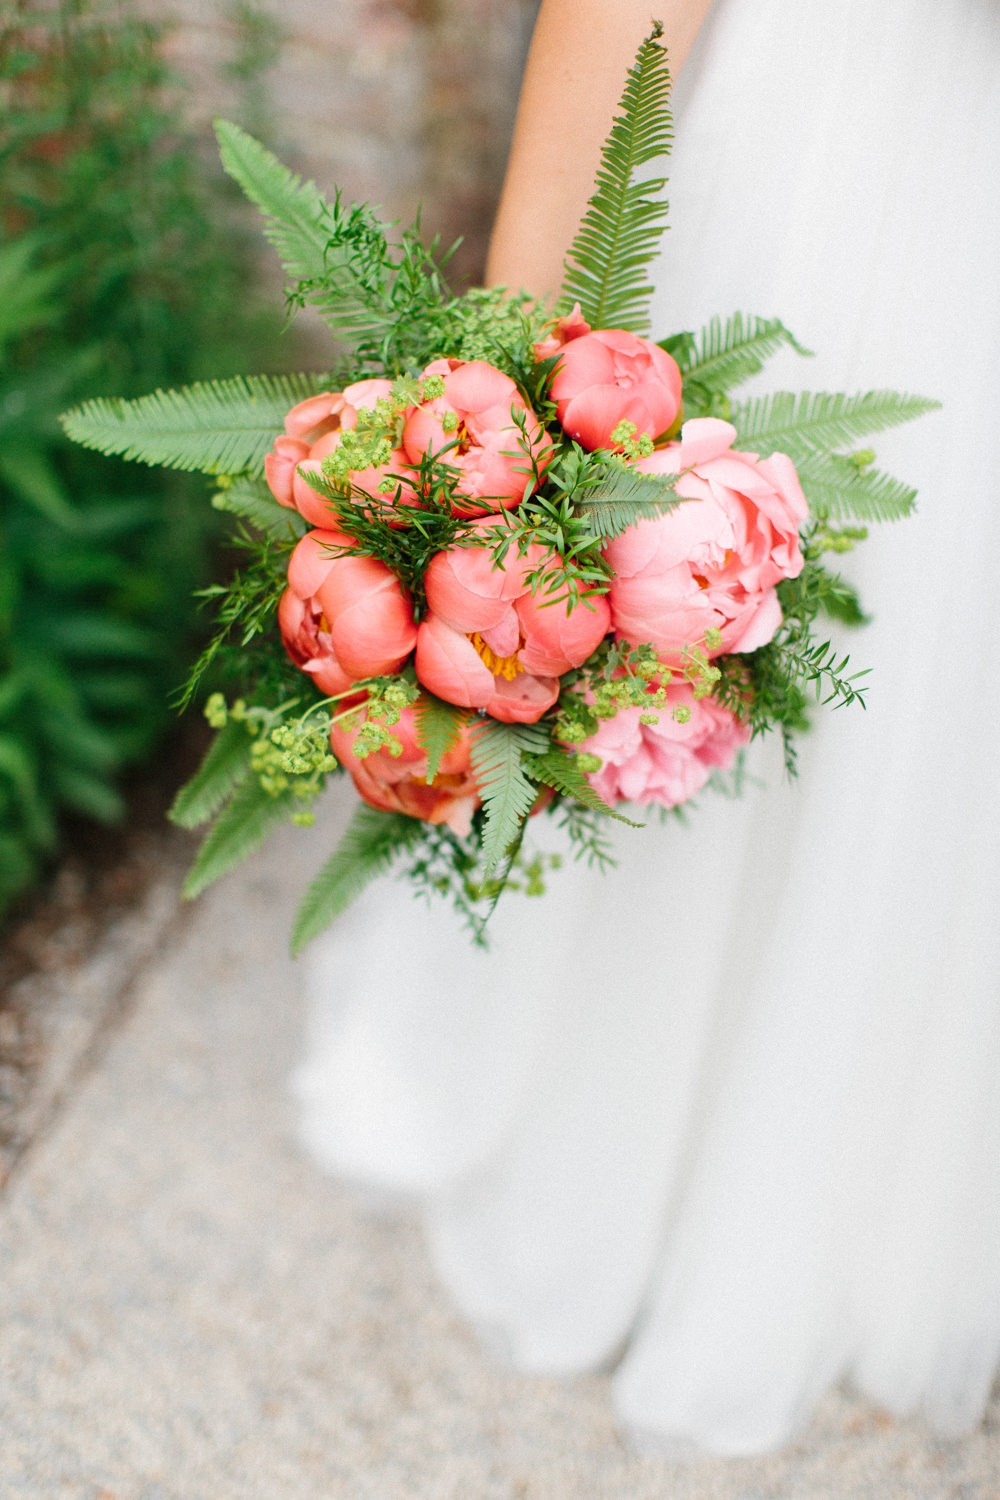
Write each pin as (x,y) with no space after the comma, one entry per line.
(329,253)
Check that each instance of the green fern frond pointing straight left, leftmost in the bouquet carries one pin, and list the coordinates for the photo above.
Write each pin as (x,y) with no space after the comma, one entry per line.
(223,427)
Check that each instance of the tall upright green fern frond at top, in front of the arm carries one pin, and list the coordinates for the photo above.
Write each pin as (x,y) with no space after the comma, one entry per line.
(626,220)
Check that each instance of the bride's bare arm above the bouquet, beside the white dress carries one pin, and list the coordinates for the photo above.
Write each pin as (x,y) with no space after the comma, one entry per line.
(576,70)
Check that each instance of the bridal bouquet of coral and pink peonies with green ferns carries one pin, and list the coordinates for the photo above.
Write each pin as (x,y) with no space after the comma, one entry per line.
(504,560)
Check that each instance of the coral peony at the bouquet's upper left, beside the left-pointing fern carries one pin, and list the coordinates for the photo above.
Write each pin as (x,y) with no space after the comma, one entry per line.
(313,431)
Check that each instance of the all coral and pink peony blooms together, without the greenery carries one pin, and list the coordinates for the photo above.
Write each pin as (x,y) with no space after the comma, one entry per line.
(490,637)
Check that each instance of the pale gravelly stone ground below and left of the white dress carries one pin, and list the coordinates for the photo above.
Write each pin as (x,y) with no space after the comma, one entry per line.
(190,1310)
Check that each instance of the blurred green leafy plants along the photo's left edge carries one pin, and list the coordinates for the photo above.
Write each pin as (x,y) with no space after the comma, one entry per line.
(116,269)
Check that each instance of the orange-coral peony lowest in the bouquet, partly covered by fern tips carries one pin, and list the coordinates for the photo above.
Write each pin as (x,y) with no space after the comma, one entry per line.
(400,784)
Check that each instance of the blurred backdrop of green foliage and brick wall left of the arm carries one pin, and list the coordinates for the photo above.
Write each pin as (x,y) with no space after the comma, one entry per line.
(128,265)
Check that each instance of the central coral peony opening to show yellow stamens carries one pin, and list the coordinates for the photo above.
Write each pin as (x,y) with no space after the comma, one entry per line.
(488,643)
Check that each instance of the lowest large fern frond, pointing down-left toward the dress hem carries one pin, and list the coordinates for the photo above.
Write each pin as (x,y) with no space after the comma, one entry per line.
(368,848)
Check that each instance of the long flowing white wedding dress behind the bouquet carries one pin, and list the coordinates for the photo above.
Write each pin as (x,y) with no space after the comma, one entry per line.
(729,1120)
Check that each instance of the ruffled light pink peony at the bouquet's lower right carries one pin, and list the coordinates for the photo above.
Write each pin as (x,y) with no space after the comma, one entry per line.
(666,763)
